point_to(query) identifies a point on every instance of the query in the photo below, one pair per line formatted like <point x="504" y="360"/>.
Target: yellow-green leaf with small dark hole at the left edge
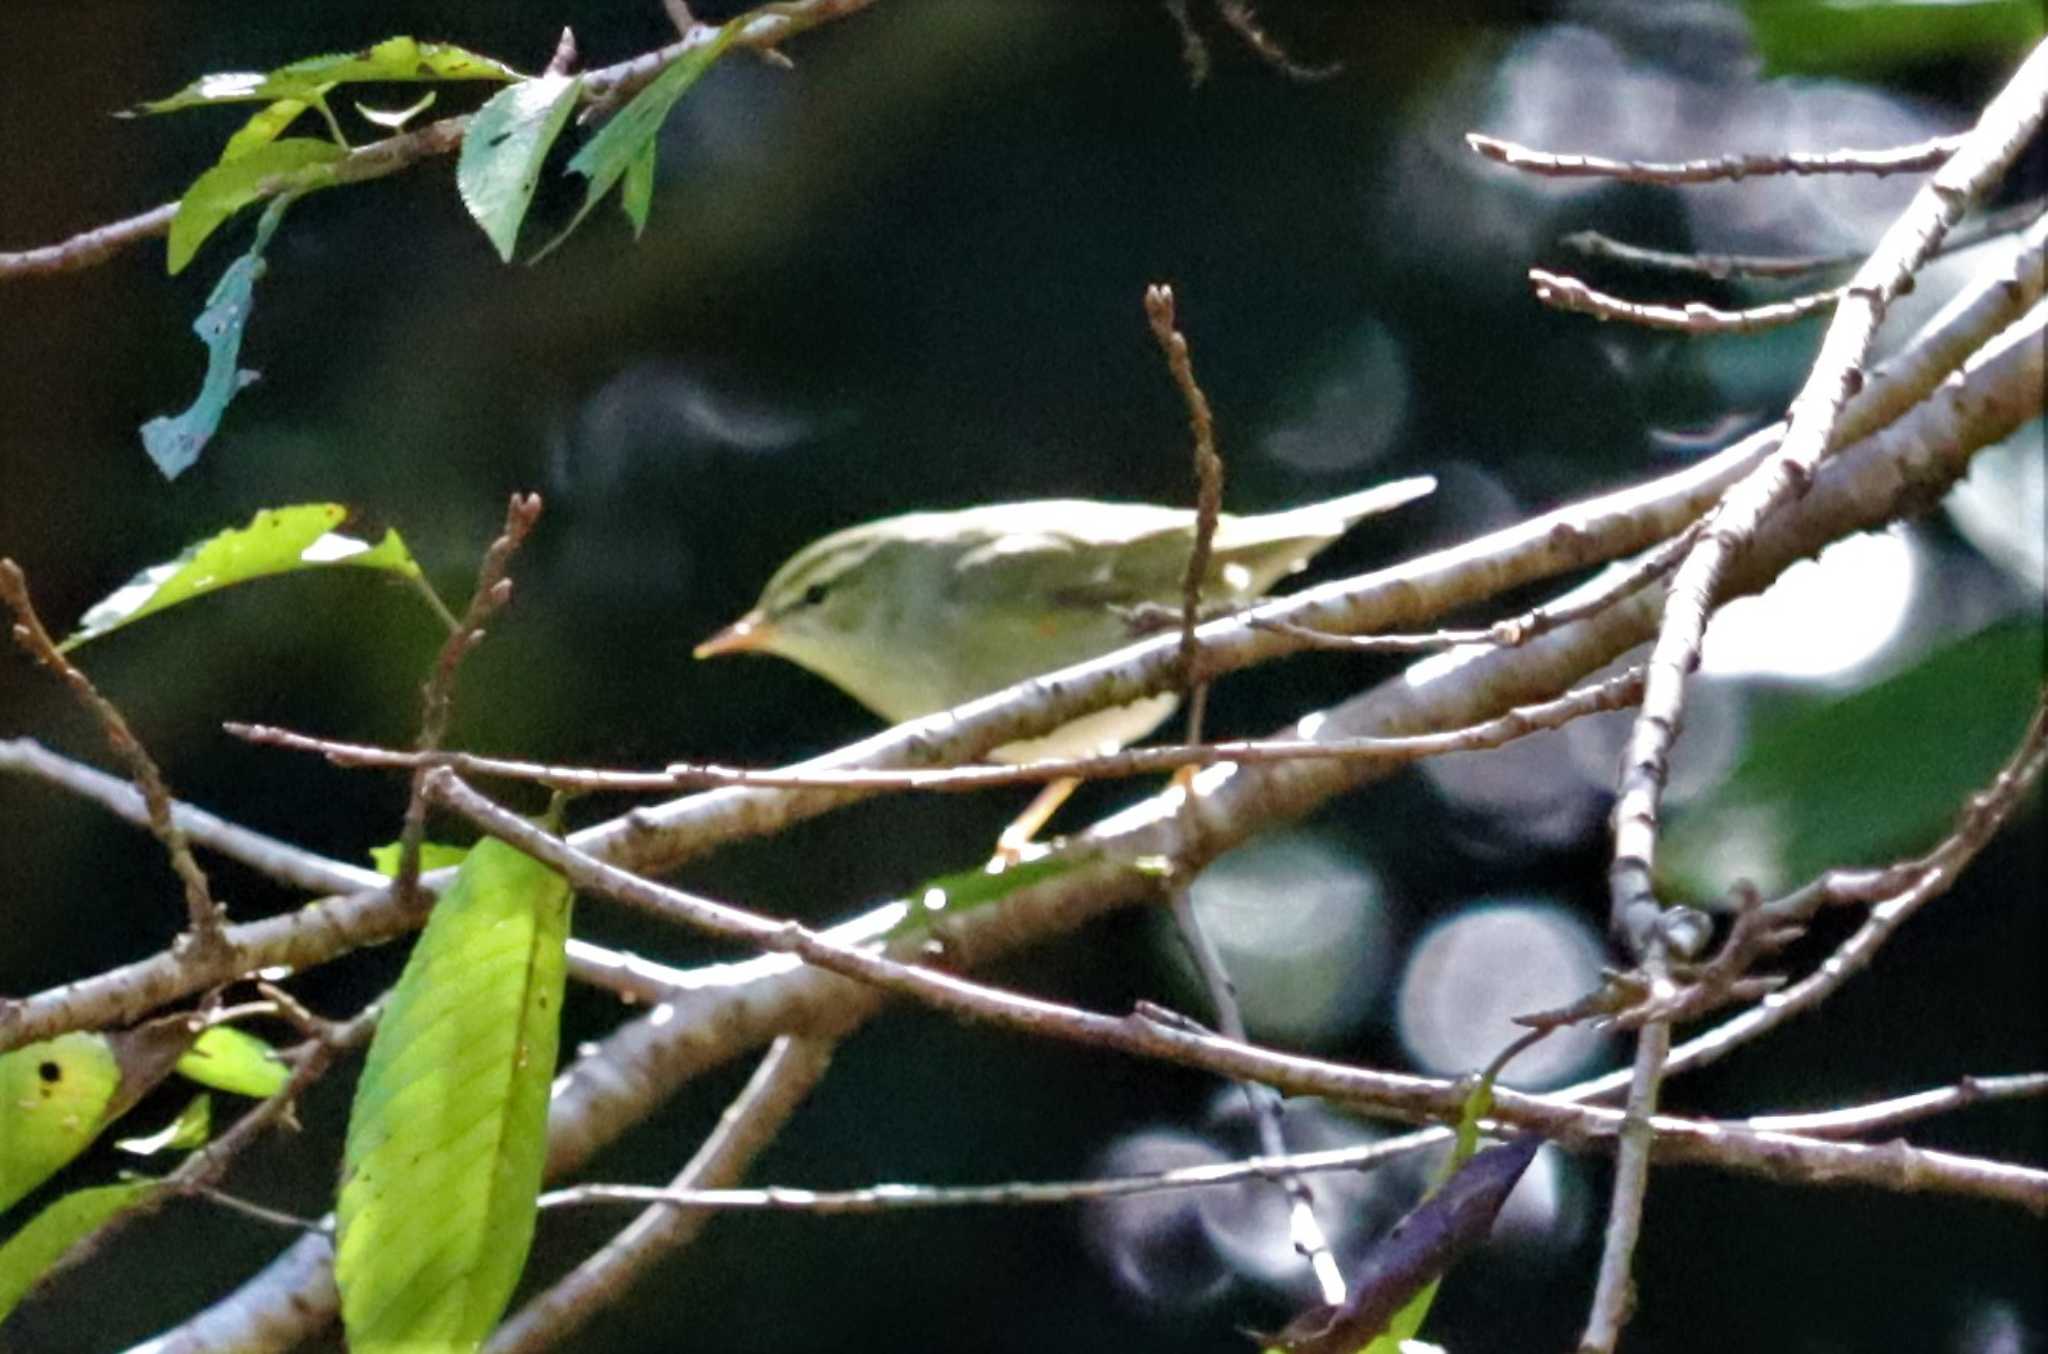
<point x="54" y="1101"/>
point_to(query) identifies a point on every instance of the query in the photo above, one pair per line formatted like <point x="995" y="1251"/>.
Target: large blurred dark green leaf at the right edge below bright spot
<point x="1861" y="779"/>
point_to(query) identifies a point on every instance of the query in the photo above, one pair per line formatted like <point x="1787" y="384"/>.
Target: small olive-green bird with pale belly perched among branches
<point x="925" y="611"/>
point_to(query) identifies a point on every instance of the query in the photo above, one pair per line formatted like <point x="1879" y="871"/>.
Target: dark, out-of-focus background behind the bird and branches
<point x="910" y="276"/>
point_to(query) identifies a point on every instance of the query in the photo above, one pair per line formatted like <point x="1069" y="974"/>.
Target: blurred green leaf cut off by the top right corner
<point x="1871" y="38"/>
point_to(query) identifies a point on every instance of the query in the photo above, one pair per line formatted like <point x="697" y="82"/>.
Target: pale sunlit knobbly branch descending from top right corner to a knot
<point x="1811" y="429"/>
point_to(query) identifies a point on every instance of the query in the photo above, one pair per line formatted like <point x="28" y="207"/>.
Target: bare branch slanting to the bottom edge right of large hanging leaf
<point x="751" y="1124"/>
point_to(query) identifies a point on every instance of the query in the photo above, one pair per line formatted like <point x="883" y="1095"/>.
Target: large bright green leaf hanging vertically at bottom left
<point x="450" y="1128"/>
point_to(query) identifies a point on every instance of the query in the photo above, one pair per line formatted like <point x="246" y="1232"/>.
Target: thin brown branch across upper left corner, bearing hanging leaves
<point x="605" y="87"/>
